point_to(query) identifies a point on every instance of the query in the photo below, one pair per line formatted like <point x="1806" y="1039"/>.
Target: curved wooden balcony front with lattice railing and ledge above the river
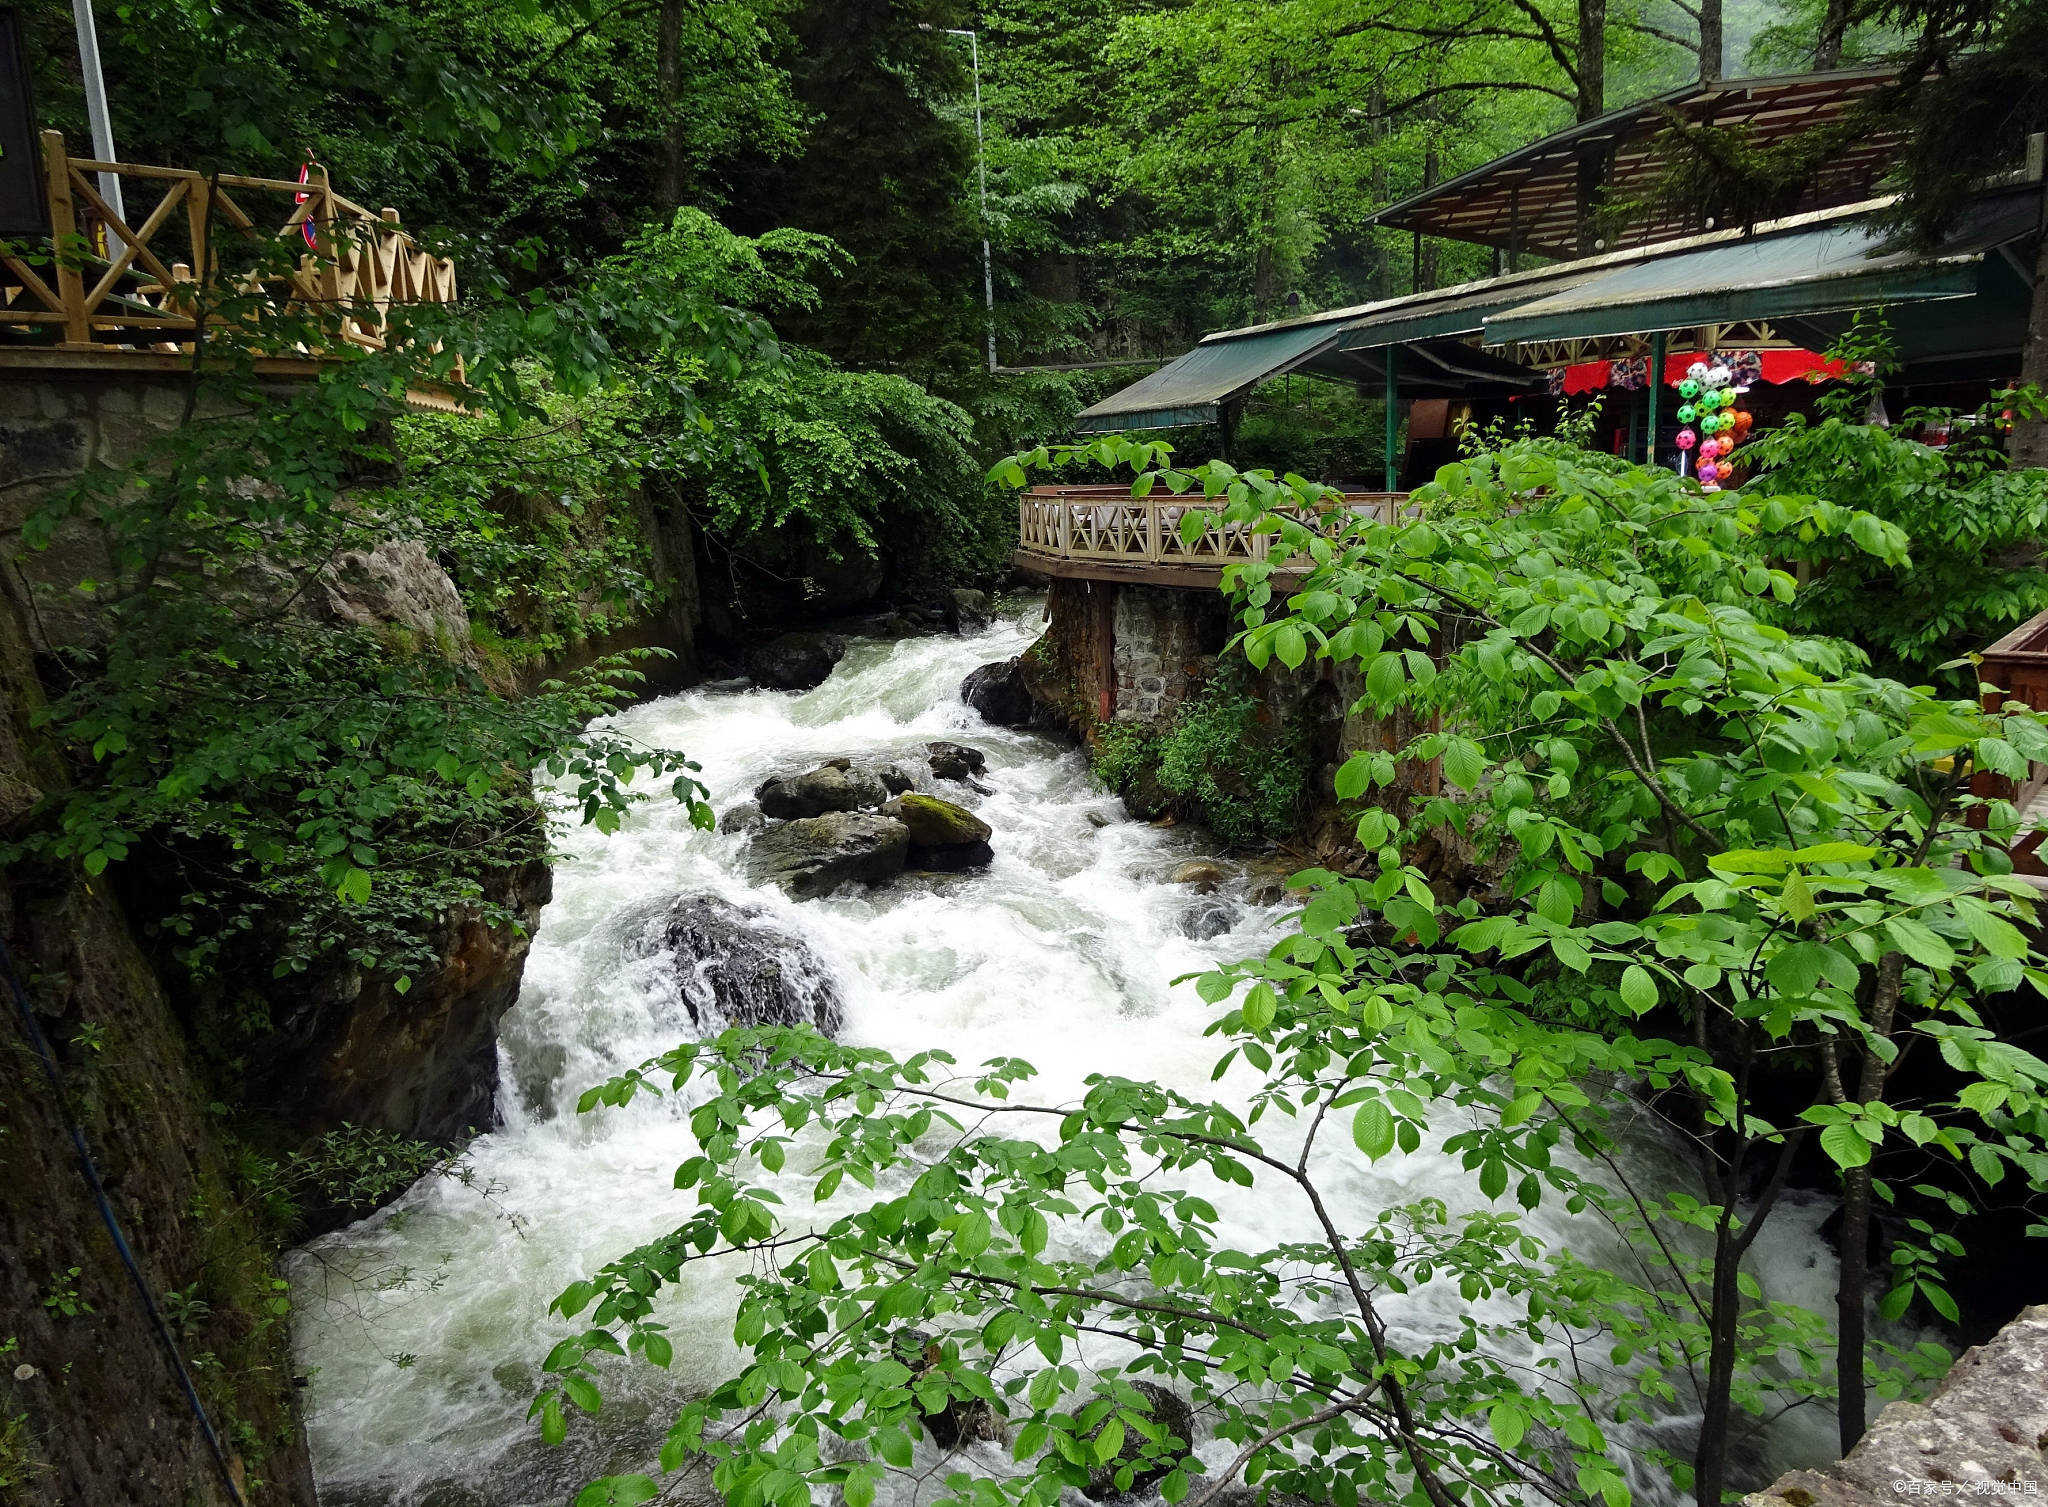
<point x="1107" y="535"/>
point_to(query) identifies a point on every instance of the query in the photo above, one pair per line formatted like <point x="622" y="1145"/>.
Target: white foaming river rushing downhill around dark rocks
<point x="423" y="1328"/>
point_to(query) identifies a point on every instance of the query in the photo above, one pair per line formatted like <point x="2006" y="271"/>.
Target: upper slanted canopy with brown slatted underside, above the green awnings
<point x="1531" y="200"/>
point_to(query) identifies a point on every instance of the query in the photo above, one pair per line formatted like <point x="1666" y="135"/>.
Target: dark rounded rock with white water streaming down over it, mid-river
<point x="736" y="967"/>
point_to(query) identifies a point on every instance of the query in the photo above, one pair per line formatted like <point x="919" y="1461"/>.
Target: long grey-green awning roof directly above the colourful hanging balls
<point x="1801" y="273"/>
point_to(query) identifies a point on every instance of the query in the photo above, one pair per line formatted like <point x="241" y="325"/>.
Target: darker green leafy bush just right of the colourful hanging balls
<point x="1975" y="525"/>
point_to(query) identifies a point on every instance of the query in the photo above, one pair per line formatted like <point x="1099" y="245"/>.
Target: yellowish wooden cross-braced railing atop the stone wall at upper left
<point x="118" y="286"/>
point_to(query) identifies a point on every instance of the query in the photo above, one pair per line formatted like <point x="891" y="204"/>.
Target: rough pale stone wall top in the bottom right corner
<point x="1981" y="1434"/>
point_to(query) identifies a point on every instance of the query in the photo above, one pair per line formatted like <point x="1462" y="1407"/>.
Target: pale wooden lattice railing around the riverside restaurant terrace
<point x="1111" y="525"/>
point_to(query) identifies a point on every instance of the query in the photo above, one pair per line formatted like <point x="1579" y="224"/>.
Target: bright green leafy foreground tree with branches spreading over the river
<point x="1709" y="824"/>
